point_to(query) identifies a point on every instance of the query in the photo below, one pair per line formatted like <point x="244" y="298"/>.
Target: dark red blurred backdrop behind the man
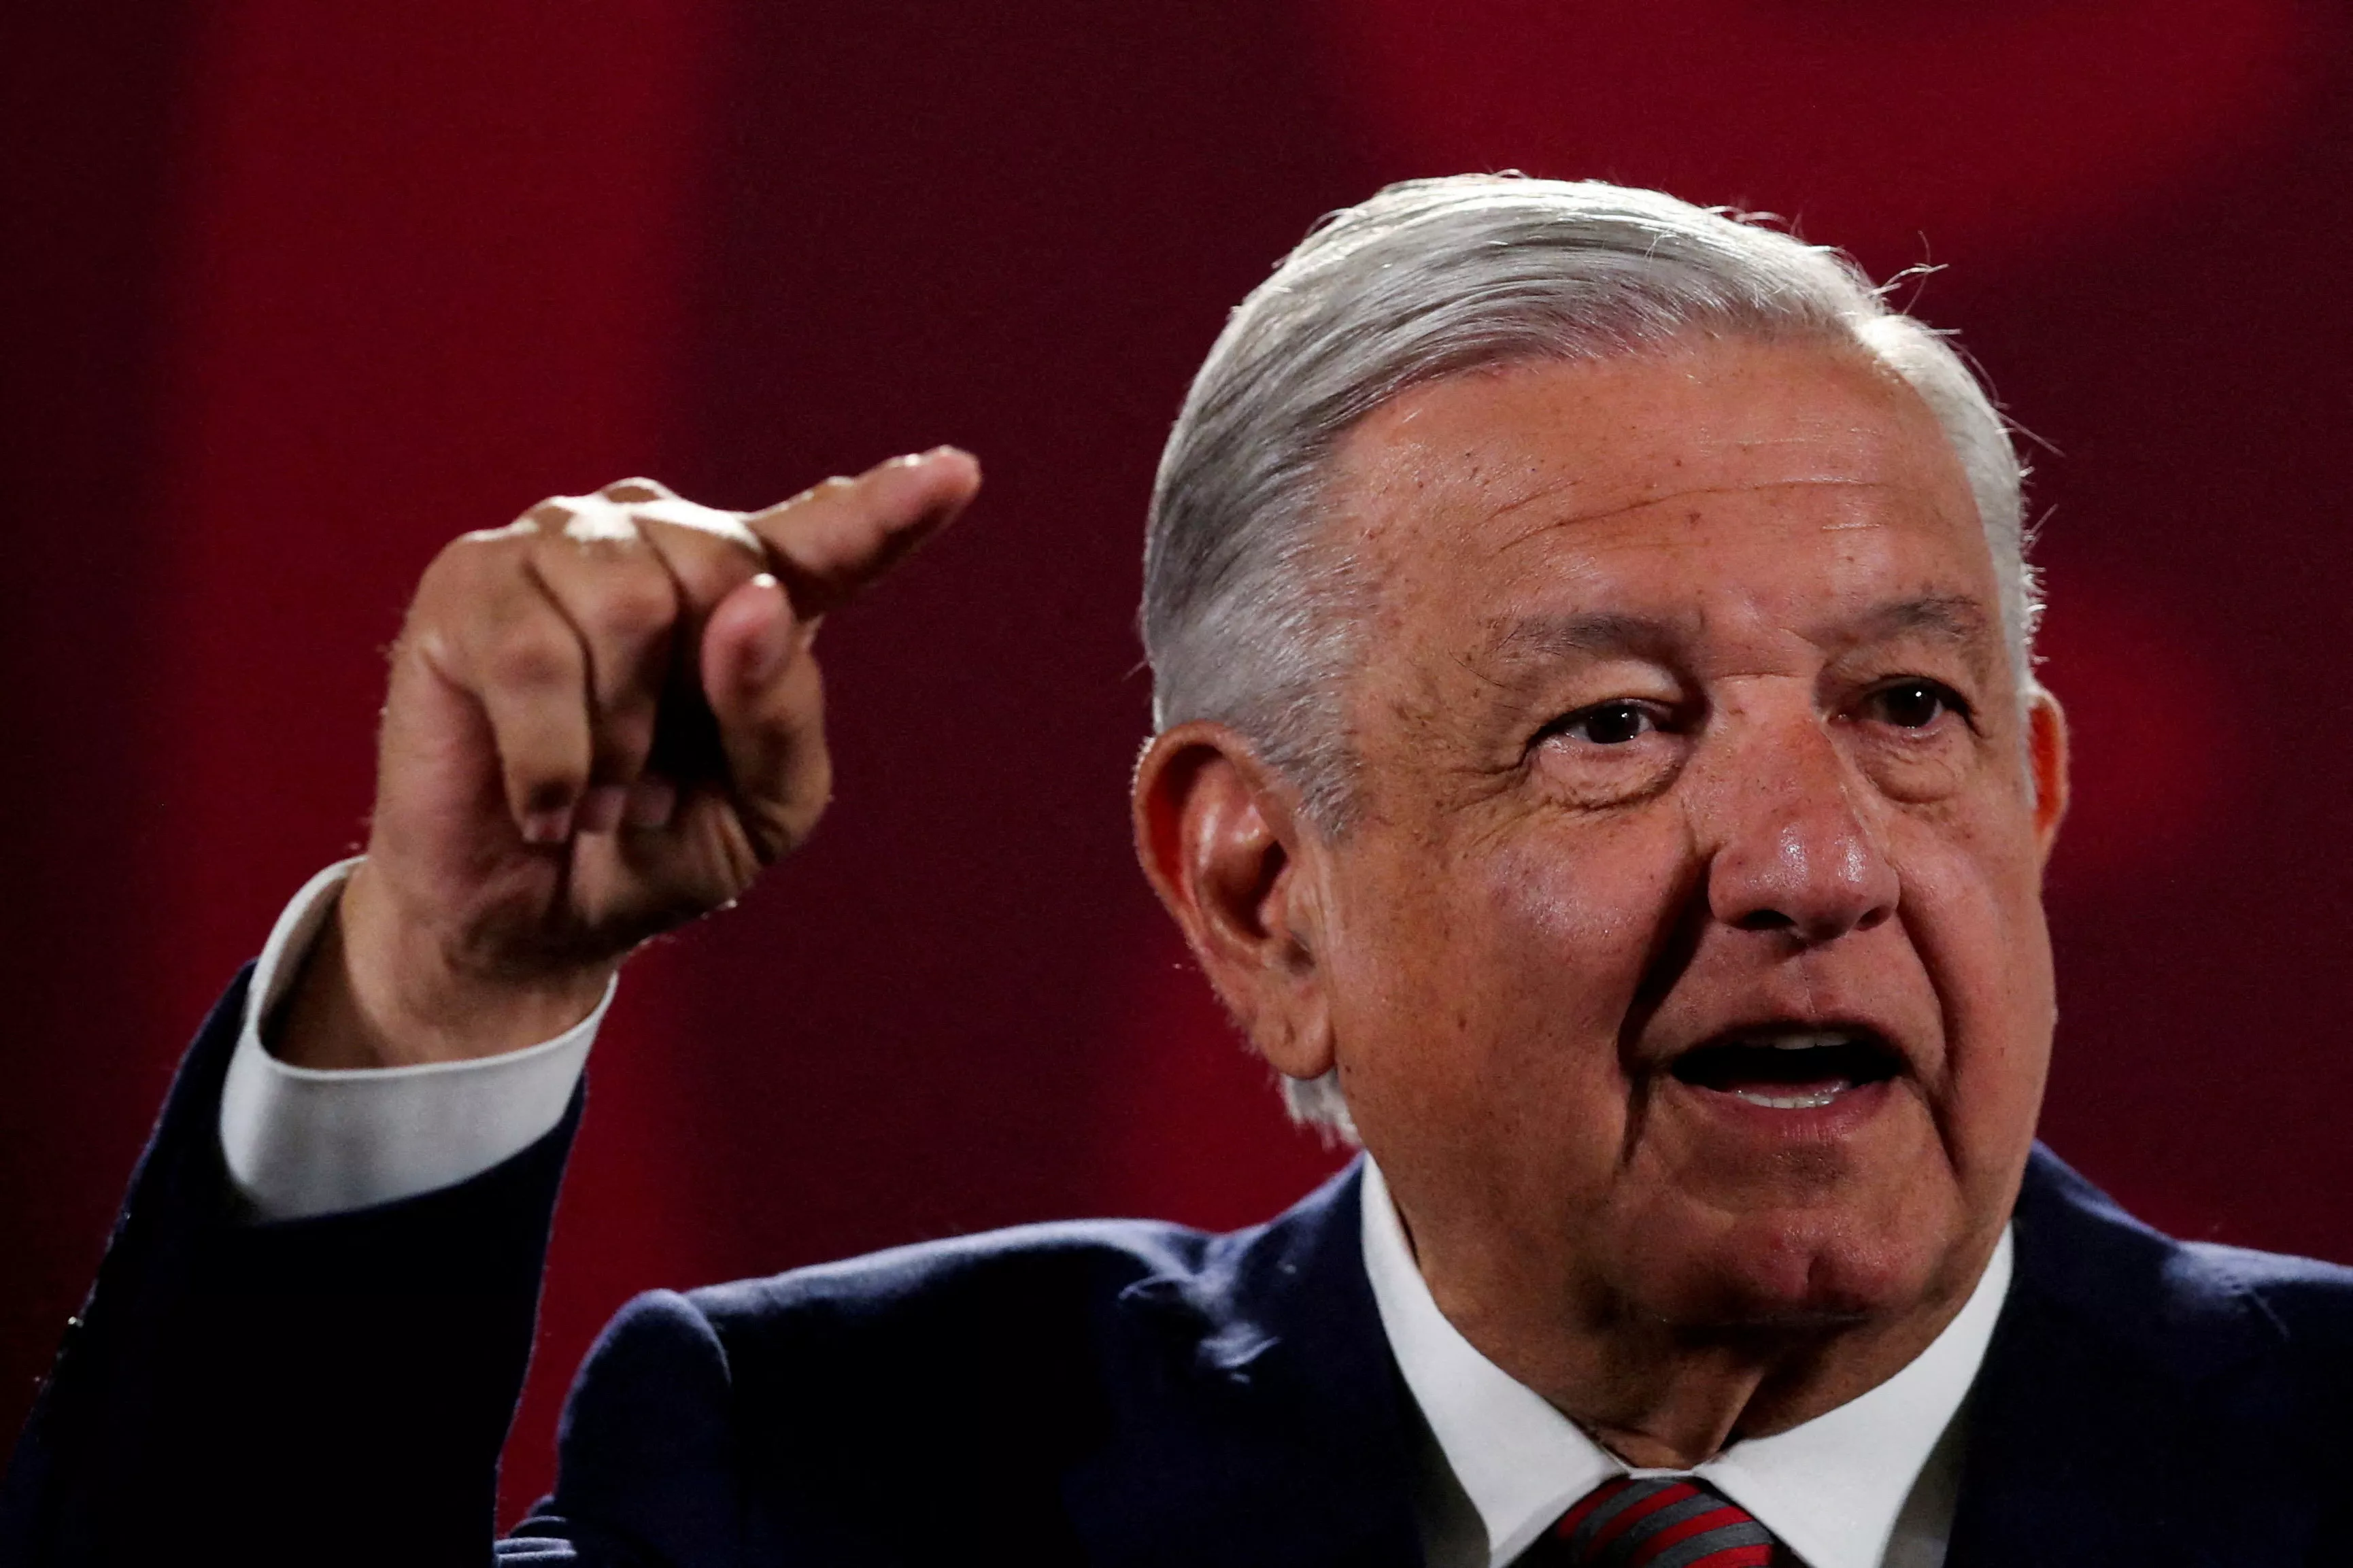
<point x="295" y="293"/>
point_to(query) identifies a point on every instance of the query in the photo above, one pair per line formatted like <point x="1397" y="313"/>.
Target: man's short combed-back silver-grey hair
<point x="1248" y="602"/>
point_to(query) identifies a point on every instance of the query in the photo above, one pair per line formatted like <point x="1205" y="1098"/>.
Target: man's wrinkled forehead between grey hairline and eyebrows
<point x="1717" y="481"/>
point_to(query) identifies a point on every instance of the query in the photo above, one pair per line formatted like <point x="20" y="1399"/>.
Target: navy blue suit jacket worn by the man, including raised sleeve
<point x="1107" y="1393"/>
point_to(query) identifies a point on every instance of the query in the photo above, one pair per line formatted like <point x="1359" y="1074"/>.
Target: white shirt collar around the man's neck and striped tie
<point x="1829" y="1489"/>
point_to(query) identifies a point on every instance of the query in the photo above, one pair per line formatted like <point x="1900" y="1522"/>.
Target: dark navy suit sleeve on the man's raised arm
<point x="326" y="1390"/>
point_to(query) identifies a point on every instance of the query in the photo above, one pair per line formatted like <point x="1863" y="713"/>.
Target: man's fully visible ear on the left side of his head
<point x="1225" y="849"/>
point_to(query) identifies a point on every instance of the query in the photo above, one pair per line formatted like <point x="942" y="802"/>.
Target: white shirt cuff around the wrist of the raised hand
<point x="307" y="1143"/>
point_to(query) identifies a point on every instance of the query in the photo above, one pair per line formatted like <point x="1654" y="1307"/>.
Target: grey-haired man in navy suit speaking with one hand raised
<point x="1599" y="764"/>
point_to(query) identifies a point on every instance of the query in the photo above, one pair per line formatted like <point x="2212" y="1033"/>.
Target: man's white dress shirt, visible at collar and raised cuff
<point x="1865" y="1487"/>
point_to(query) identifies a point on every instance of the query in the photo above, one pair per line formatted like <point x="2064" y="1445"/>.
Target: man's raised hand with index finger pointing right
<point x="604" y="722"/>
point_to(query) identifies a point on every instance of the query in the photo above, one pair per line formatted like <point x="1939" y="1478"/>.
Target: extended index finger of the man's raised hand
<point x="839" y="538"/>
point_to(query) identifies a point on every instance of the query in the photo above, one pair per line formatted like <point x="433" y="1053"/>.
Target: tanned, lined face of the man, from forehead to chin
<point x="1686" y="952"/>
